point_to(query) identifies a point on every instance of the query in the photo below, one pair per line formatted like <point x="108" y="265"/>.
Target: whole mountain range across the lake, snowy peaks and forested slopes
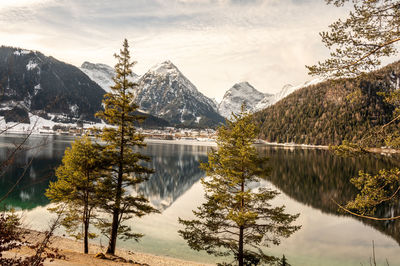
<point x="317" y="112"/>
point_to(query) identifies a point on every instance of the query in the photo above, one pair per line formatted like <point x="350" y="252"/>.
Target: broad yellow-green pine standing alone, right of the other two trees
<point x="236" y="219"/>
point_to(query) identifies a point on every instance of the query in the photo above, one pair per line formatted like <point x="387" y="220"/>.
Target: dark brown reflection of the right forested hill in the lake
<point x="316" y="177"/>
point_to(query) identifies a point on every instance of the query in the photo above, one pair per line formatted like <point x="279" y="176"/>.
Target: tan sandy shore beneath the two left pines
<point x="73" y="251"/>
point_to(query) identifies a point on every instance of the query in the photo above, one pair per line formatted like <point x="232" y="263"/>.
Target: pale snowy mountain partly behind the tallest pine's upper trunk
<point x="101" y="74"/>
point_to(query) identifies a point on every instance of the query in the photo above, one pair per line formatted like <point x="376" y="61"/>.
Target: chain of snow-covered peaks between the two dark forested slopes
<point x="165" y="81"/>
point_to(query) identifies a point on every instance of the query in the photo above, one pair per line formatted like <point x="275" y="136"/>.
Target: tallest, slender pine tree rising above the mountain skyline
<point x="126" y="168"/>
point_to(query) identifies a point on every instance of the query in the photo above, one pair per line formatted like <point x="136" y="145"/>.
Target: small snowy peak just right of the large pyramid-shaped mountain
<point x="235" y="96"/>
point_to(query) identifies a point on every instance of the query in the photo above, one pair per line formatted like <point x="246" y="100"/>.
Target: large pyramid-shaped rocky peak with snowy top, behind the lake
<point x="165" y="92"/>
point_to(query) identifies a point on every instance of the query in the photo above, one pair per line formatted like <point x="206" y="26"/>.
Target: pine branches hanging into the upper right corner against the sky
<point x="359" y="41"/>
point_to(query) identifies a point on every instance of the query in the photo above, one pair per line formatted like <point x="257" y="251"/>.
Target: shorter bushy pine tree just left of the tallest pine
<point x="74" y="192"/>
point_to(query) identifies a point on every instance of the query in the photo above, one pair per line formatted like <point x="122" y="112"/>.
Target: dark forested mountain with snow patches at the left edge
<point x="33" y="82"/>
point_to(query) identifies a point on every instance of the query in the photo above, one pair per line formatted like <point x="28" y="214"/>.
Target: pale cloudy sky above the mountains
<point x="215" y="43"/>
